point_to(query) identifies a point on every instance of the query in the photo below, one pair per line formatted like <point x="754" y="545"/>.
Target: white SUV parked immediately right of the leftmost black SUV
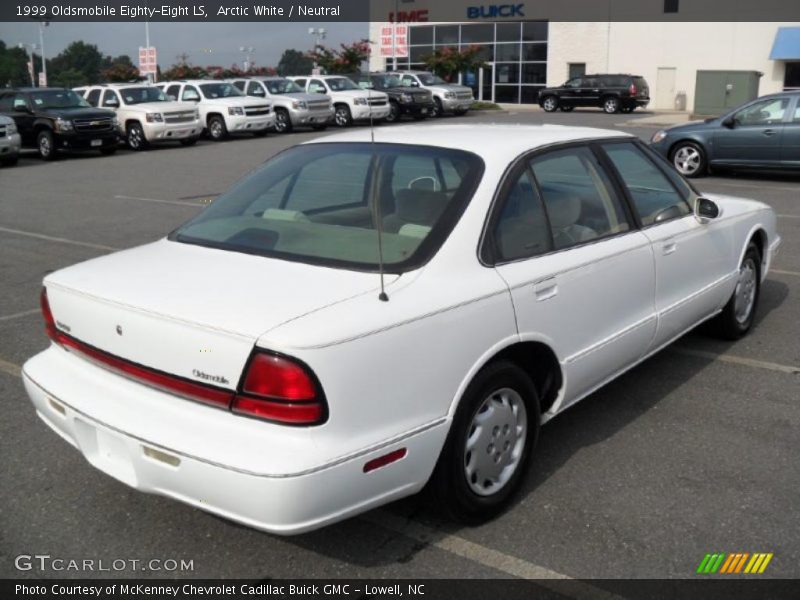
<point x="145" y="114"/>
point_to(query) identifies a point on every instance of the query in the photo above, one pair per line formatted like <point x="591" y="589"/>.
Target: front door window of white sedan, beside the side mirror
<point x="653" y="195"/>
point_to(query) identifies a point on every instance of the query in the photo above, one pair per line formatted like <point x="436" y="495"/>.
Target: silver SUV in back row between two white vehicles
<point x="292" y="105"/>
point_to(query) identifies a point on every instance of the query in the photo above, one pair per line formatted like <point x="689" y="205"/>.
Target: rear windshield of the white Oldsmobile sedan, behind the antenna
<point x="299" y="207"/>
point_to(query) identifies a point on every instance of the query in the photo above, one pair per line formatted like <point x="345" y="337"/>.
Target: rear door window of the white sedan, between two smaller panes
<point x="578" y="197"/>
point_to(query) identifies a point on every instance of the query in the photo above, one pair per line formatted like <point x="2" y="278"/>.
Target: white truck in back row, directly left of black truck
<point x="350" y="102"/>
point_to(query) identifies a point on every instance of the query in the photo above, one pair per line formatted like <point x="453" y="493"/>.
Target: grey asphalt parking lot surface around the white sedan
<point x="694" y="451"/>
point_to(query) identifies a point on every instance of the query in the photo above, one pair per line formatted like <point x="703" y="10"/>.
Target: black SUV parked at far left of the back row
<point x="52" y="119"/>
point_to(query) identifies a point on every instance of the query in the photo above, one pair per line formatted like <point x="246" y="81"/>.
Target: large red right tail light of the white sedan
<point x="278" y="388"/>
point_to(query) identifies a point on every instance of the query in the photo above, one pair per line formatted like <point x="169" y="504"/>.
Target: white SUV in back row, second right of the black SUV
<point x="223" y="108"/>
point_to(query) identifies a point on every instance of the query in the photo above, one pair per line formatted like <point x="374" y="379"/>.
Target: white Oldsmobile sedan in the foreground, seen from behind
<point x="356" y="319"/>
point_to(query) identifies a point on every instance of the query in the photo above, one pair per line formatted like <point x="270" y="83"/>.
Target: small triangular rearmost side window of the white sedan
<point x="522" y="230"/>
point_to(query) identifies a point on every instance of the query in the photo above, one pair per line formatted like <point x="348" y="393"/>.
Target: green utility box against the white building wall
<point x="716" y="92"/>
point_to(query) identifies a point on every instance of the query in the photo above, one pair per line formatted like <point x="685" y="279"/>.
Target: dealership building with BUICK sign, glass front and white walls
<point x="720" y="63"/>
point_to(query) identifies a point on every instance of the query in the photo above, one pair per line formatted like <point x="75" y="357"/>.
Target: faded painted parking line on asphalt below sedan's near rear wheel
<point x="500" y="561"/>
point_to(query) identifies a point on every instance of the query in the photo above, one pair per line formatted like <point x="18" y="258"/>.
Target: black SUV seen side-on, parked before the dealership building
<point x="612" y="93"/>
